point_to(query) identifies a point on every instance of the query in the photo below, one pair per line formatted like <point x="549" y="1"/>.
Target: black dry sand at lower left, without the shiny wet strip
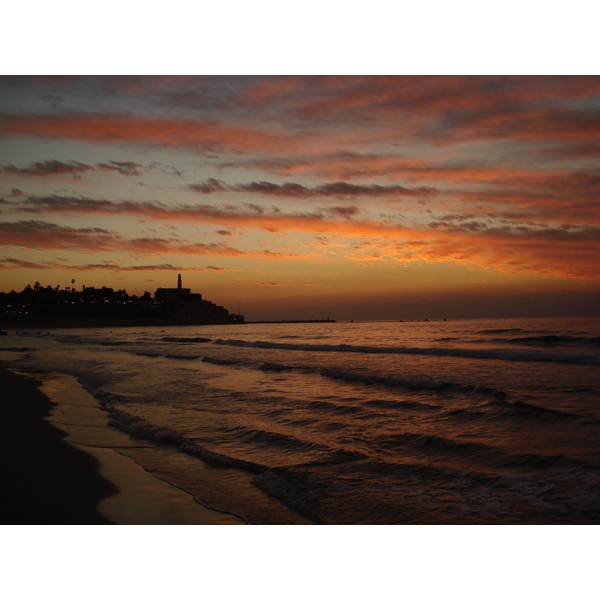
<point x="45" y="480"/>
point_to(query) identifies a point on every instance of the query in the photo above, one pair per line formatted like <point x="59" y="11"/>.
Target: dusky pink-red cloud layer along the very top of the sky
<point x="279" y="116"/>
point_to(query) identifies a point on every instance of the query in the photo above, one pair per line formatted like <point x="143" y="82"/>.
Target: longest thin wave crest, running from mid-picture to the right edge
<point x="488" y="353"/>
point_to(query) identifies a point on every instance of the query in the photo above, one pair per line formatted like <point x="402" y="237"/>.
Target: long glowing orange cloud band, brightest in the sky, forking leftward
<point x="568" y="249"/>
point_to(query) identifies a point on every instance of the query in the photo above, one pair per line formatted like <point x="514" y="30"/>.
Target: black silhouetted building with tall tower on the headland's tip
<point x="186" y="307"/>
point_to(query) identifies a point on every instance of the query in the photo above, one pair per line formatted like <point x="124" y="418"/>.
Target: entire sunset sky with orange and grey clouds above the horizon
<point x="308" y="197"/>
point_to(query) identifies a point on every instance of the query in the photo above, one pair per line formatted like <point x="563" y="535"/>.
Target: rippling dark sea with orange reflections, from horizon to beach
<point x="473" y="421"/>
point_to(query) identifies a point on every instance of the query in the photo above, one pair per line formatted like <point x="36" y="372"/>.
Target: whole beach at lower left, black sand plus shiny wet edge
<point x="57" y="469"/>
